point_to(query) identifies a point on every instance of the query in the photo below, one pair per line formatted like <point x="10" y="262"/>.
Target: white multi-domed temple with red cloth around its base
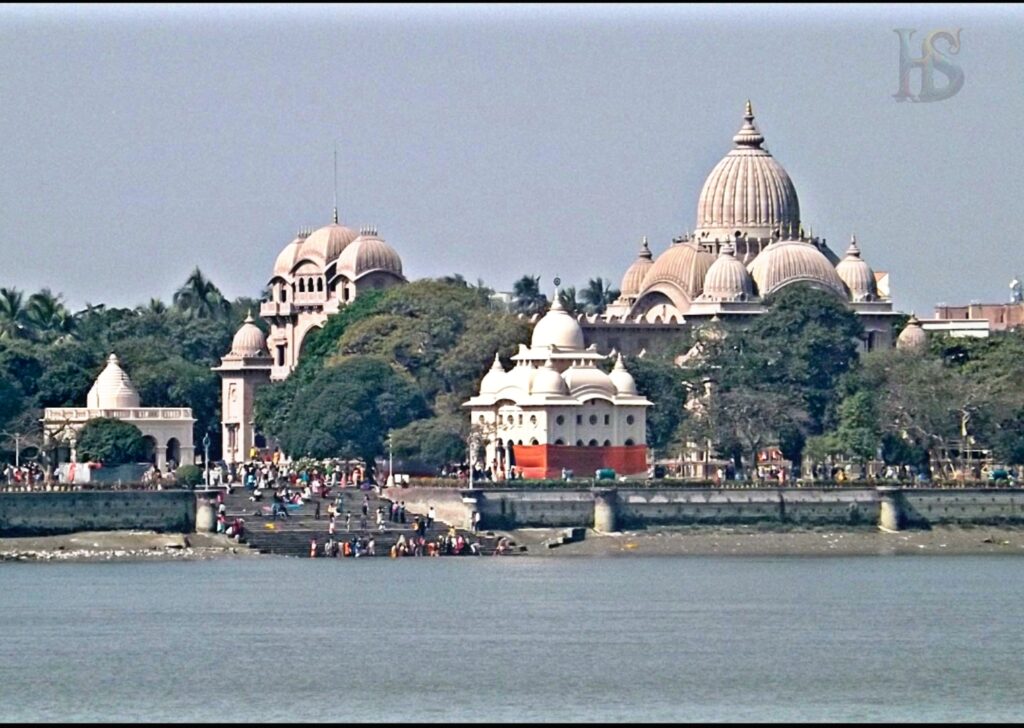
<point x="554" y="409"/>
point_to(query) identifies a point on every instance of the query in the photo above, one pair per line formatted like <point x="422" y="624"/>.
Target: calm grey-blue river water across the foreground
<point x="928" y="638"/>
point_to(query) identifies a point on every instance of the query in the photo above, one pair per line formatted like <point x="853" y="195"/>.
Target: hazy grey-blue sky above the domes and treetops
<point x="491" y="142"/>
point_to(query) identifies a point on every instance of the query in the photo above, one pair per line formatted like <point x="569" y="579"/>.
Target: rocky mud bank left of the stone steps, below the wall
<point x="122" y="546"/>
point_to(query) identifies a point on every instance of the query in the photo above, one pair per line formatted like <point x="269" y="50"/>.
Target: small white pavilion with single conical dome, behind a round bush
<point x="167" y="432"/>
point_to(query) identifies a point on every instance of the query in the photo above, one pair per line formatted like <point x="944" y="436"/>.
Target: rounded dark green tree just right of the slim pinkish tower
<point x="350" y="408"/>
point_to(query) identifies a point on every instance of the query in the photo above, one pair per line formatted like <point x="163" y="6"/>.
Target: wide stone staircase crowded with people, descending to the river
<point x="292" y="536"/>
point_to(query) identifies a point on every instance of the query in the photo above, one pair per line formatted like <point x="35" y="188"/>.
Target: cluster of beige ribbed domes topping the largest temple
<point x="749" y="243"/>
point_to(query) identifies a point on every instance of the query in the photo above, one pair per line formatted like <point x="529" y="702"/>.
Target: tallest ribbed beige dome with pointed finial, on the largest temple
<point x="748" y="191"/>
